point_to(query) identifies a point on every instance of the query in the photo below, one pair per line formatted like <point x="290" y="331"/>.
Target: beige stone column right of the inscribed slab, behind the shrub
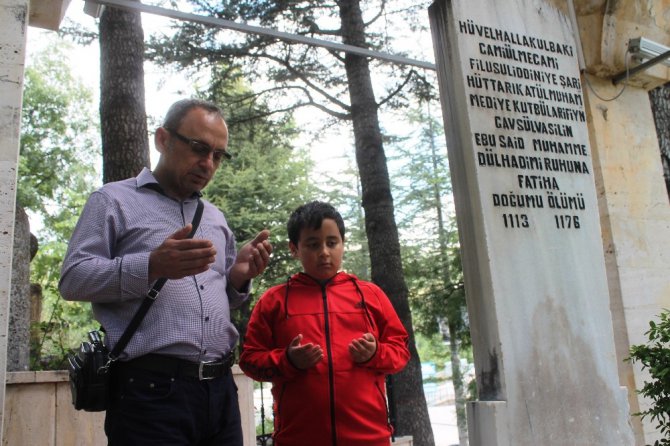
<point x="635" y="221"/>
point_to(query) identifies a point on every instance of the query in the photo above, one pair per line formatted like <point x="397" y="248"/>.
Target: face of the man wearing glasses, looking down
<point x="186" y="167"/>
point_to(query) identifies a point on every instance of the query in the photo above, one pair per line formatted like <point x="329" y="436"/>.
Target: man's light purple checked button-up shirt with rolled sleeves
<point x="107" y="264"/>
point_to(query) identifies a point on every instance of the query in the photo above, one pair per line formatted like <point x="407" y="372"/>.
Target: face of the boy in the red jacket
<point x="320" y="250"/>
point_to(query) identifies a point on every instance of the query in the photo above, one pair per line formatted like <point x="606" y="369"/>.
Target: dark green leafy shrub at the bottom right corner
<point x="654" y="356"/>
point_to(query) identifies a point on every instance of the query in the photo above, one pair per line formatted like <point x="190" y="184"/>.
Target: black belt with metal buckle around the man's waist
<point x="180" y="367"/>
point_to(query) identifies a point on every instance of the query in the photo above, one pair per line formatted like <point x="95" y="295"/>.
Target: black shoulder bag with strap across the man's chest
<point x="89" y="366"/>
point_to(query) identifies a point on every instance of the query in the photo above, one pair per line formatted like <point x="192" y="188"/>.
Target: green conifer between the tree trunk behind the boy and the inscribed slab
<point x="431" y="250"/>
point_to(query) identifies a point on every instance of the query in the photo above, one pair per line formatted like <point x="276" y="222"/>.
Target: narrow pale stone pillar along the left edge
<point x="14" y="20"/>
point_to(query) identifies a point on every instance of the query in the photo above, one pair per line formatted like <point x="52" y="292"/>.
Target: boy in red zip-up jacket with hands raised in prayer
<point x="325" y="340"/>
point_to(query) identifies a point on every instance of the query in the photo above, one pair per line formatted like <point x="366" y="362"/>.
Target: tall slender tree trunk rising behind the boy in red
<point x="380" y="226"/>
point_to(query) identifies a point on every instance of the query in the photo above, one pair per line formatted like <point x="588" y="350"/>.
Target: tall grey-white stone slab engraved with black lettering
<point x="528" y="216"/>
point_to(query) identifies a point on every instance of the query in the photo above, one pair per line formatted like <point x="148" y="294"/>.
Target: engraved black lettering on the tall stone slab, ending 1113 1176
<point x="533" y="111"/>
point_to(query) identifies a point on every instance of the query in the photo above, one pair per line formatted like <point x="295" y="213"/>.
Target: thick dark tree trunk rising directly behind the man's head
<point x="125" y="145"/>
